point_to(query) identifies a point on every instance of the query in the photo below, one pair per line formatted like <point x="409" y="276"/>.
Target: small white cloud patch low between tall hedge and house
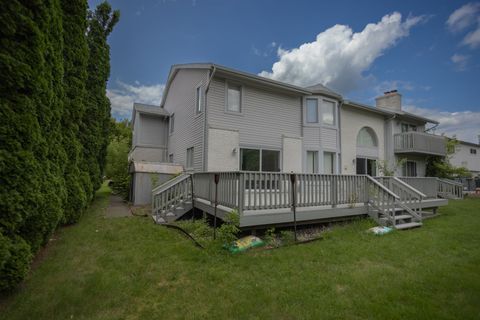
<point x="123" y="97"/>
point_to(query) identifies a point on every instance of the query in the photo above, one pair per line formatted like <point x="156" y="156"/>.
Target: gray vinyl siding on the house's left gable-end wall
<point x="189" y="126"/>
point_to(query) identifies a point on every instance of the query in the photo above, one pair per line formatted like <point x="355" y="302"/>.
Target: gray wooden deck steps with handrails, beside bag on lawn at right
<point x="395" y="203"/>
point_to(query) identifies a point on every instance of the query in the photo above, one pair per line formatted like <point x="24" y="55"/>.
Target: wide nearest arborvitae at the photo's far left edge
<point x="31" y="156"/>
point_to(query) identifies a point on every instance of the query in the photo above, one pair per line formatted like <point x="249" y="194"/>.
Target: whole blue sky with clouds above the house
<point x="428" y="50"/>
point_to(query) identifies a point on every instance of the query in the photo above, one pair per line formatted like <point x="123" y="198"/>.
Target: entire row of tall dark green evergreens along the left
<point x="46" y="175"/>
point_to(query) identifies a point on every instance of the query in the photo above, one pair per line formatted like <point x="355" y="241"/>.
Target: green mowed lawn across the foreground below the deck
<point x="129" y="268"/>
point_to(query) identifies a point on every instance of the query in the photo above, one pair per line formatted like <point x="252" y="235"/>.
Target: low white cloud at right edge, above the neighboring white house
<point x="465" y="125"/>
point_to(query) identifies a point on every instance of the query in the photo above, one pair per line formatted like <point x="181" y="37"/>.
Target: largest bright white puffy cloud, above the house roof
<point x="338" y="57"/>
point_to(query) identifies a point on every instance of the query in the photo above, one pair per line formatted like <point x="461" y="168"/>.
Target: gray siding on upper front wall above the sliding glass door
<point x="265" y="116"/>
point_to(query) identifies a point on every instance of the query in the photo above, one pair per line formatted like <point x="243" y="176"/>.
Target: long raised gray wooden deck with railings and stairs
<point x="265" y="199"/>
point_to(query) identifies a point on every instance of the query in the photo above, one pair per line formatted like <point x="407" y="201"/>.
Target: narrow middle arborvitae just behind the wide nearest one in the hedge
<point x="75" y="58"/>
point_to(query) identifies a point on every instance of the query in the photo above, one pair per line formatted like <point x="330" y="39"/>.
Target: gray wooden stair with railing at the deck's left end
<point x="171" y="200"/>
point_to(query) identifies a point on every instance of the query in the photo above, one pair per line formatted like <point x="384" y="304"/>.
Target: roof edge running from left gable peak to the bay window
<point x="245" y="75"/>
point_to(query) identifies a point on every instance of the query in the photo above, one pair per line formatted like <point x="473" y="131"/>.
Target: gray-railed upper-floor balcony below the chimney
<point x="419" y="143"/>
